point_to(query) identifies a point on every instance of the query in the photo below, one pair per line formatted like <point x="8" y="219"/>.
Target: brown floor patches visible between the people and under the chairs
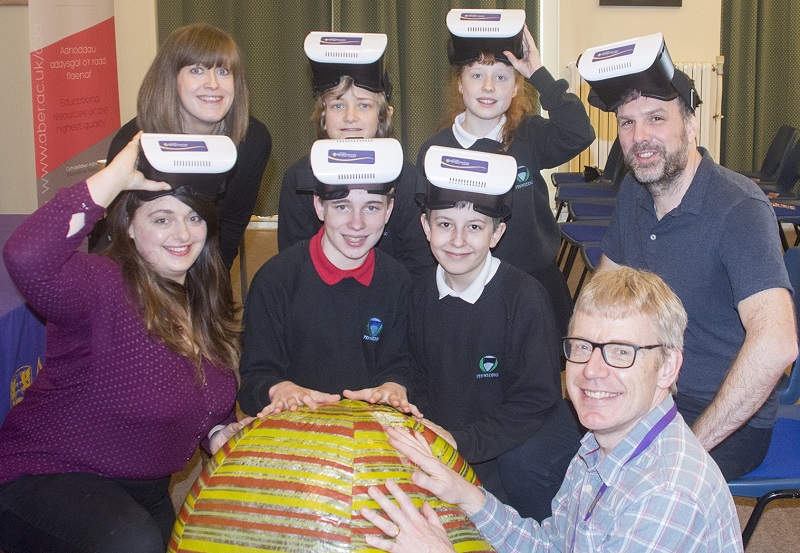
<point x="777" y="532"/>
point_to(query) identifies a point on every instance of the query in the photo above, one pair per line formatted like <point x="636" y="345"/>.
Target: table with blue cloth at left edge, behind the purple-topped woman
<point x="21" y="333"/>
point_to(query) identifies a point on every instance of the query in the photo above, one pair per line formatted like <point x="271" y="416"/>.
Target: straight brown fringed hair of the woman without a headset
<point x="158" y="104"/>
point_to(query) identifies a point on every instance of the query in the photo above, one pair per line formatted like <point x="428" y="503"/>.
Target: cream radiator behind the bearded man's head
<point x="708" y="81"/>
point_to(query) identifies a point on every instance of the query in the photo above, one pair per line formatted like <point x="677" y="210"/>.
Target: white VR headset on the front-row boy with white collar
<point x="456" y="175"/>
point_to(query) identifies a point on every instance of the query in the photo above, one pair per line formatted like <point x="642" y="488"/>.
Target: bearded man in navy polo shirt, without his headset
<point x="711" y="234"/>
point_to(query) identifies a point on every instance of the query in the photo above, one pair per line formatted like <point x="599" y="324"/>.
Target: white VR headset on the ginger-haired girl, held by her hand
<point x="473" y="32"/>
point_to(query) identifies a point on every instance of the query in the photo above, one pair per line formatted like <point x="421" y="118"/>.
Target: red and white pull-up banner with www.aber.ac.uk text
<point x="74" y="89"/>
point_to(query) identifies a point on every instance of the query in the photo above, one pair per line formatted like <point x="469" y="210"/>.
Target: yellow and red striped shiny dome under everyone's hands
<point x="295" y="482"/>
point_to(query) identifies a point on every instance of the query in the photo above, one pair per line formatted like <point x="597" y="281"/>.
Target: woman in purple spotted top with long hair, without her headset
<point x="140" y="364"/>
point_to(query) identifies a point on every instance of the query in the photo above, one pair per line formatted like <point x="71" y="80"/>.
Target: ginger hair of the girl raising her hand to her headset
<point x="521" y="106"/>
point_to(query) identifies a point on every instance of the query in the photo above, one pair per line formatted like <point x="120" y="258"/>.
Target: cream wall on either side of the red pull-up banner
<point x="136" y="46"/>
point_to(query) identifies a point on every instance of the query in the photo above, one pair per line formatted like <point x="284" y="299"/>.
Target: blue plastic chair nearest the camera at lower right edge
<point x="778" y="476"/>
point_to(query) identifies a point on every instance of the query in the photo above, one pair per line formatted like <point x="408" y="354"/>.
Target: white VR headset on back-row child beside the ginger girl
<point x="358" y="55"/>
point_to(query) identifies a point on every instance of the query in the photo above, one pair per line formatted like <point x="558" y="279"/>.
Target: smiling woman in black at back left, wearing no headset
<point x="196" y="85"/>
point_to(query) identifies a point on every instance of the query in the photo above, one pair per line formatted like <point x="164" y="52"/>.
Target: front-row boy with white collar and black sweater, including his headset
<point x="484" y="341"/>
